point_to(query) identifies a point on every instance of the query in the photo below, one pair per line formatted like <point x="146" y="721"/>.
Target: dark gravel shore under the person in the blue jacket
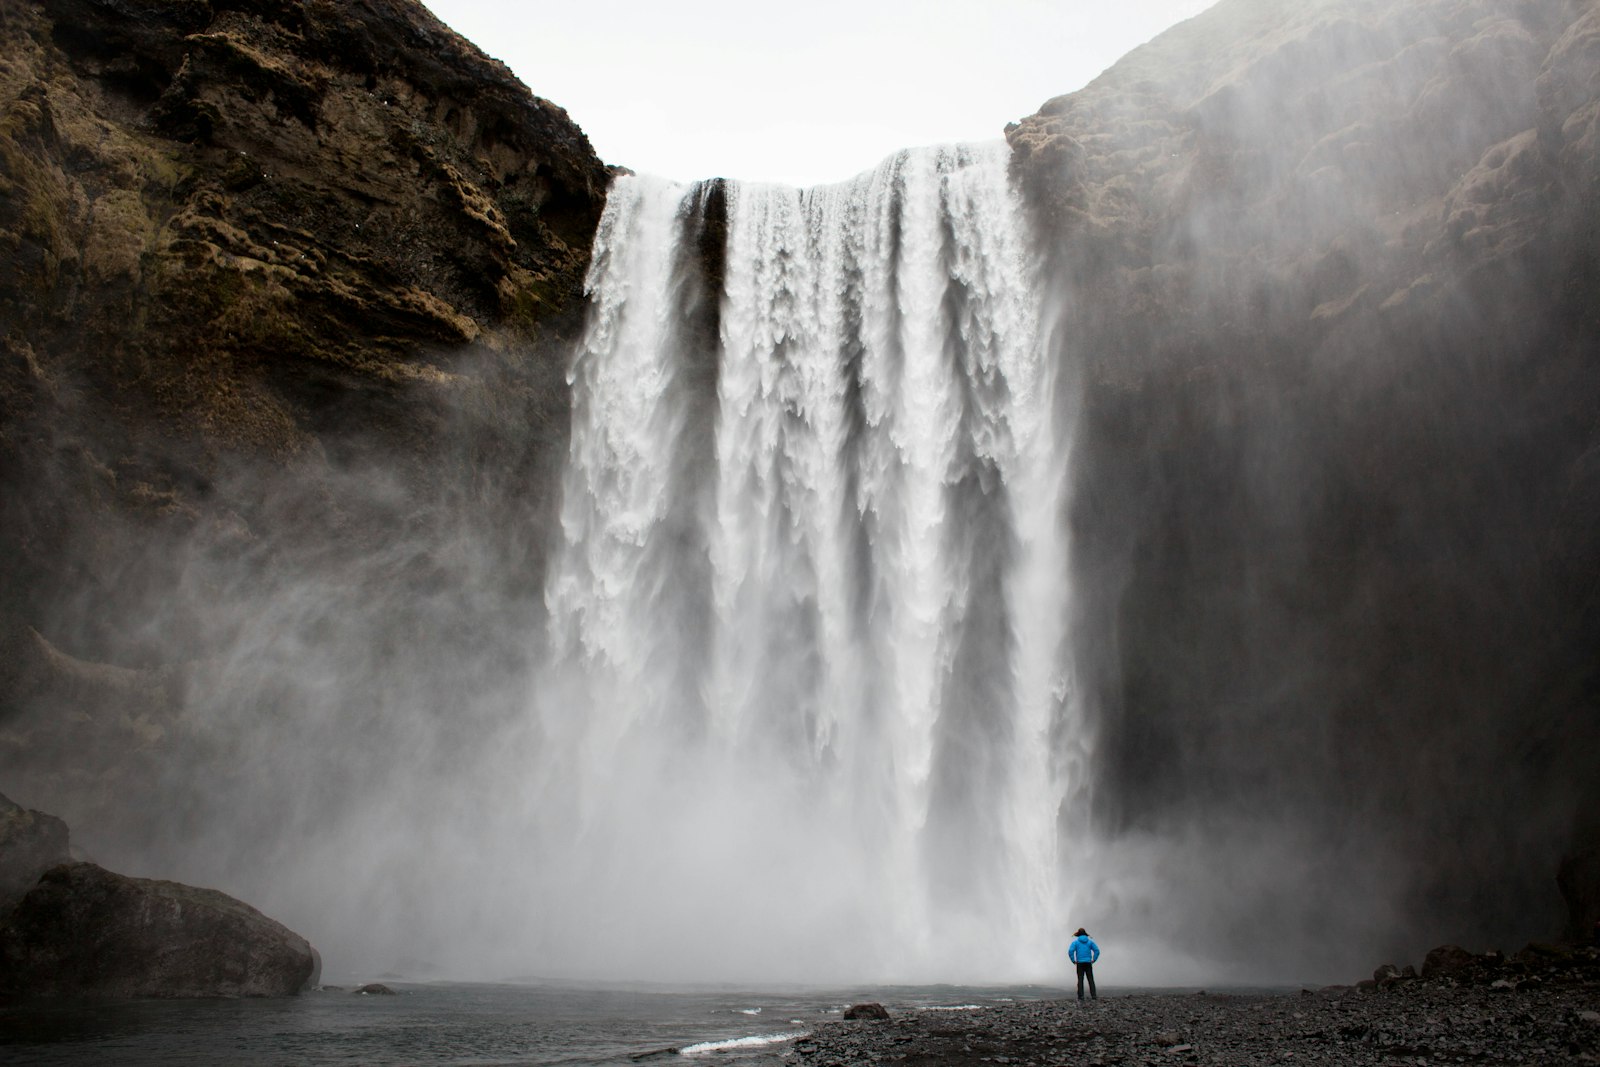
<point x="1534" y="1009"/>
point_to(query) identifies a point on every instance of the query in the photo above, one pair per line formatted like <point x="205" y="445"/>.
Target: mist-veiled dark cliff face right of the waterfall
<point x="1330" y="273"/>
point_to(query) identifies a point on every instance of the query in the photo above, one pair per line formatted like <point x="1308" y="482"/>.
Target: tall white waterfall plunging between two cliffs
<point x="807" y="615"/>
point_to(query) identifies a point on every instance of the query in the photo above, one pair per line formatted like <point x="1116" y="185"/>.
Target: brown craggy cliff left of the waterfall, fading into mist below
<point x="287" y="294"/>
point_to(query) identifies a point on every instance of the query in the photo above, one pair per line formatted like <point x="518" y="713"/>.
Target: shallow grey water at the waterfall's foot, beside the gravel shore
<point x="460" y="1025"/>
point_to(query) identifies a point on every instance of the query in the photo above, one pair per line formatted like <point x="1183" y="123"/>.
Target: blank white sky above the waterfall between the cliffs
<point x="802" y="92"/>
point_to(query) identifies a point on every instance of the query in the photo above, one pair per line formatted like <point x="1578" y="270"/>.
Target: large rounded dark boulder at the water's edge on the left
<point x="86" y="932"/>
